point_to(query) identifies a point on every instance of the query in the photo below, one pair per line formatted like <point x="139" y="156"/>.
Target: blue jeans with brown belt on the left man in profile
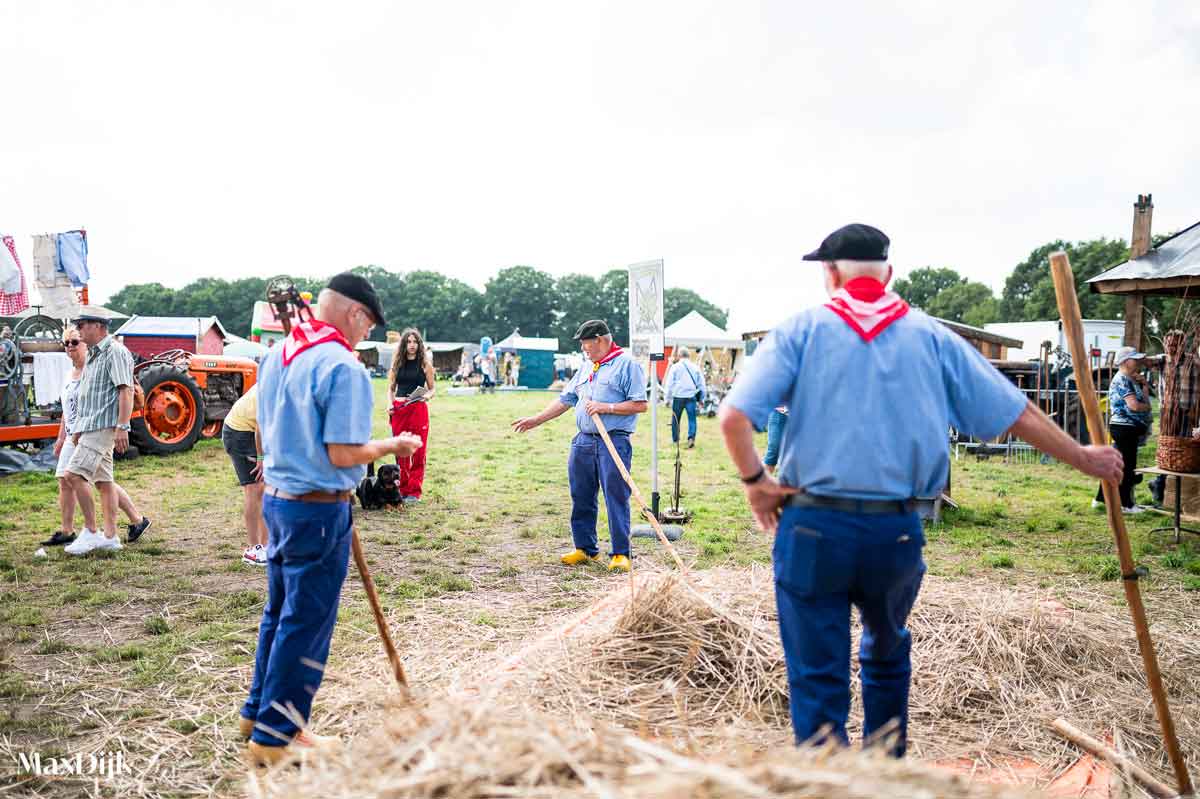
<point x="307" y="563"/>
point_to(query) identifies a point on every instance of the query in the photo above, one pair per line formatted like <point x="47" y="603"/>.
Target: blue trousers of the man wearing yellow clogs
<point x="590" y="467"/>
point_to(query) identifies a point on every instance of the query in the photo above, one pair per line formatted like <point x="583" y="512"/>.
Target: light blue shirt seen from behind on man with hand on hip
<point x="872" y="420"/>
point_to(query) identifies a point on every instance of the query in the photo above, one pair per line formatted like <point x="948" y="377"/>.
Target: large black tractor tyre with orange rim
<point x="175" y="411"/>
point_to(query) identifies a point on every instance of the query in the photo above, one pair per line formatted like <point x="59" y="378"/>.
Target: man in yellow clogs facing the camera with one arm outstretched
<point x="613" y="387"/>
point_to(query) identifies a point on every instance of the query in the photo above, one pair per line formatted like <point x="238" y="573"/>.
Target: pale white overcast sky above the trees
<point x="255" y="139"/>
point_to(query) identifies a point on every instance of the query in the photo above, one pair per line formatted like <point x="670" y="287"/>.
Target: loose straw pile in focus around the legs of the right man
<point x="992" y="668"/>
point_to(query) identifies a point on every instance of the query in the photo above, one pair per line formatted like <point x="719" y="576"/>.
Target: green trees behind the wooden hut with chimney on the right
<point x="1029" y="291"/>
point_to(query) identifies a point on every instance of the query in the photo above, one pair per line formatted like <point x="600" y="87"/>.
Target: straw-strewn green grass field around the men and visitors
<point x="149" y="651"/>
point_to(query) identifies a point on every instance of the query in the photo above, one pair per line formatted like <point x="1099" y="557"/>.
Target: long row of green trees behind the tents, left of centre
<point x="442" y="308"/>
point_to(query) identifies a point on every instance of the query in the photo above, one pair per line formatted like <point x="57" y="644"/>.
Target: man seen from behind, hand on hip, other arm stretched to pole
<point x="873" y="388"/>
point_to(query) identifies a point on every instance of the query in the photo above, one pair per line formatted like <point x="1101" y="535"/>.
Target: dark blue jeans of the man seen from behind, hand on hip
<point x="825" y="563"/>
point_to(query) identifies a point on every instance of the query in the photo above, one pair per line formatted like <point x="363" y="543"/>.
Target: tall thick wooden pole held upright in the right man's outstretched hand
<point x="1073" y="327"/>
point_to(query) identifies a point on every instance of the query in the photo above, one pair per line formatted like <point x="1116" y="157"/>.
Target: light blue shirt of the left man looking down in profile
<point x="322" y="398"/>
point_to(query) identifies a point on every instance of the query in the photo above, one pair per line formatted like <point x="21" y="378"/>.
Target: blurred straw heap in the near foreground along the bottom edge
<point x="478" y="750"/>
